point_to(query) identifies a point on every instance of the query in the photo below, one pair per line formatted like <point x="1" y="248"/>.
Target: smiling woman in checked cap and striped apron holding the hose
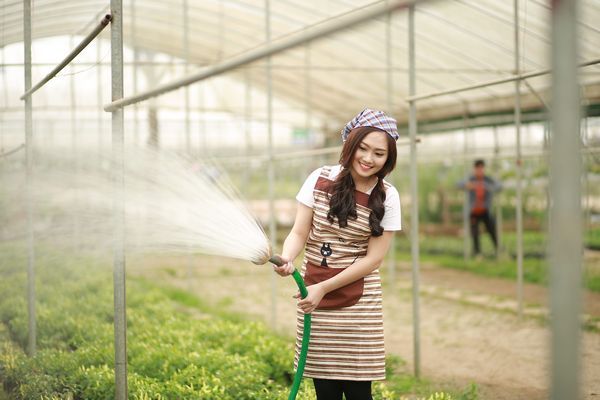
<point x="345" y="221"/>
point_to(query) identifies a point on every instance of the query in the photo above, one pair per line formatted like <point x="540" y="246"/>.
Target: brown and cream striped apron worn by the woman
<point x="345" y="342"/>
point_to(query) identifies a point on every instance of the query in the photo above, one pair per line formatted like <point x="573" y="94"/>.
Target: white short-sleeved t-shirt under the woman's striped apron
<point x="392" y="217"/>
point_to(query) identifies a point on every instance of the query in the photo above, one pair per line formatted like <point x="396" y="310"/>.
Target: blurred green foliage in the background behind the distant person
<point x="440" y="201"/>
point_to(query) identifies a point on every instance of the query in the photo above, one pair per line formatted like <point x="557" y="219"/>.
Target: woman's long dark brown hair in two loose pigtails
<point x="342" y="203"/>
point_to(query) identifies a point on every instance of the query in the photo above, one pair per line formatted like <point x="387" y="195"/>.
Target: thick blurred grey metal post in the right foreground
<point x="565" y="242"/>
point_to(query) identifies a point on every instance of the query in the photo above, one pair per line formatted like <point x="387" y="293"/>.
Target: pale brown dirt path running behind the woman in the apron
<point x="462" y="341"/>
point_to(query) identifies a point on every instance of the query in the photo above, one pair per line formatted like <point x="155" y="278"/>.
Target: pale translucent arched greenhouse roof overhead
<point x="458" y="43"/>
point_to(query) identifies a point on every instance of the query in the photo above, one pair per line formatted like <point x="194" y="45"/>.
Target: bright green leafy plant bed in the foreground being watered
<point x="178" y="348"/>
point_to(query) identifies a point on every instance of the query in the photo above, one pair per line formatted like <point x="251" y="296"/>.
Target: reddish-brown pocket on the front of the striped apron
<point x="345" y="296"/>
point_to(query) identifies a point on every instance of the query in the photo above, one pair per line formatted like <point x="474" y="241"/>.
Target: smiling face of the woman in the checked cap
<point x="371" y="154"/>
